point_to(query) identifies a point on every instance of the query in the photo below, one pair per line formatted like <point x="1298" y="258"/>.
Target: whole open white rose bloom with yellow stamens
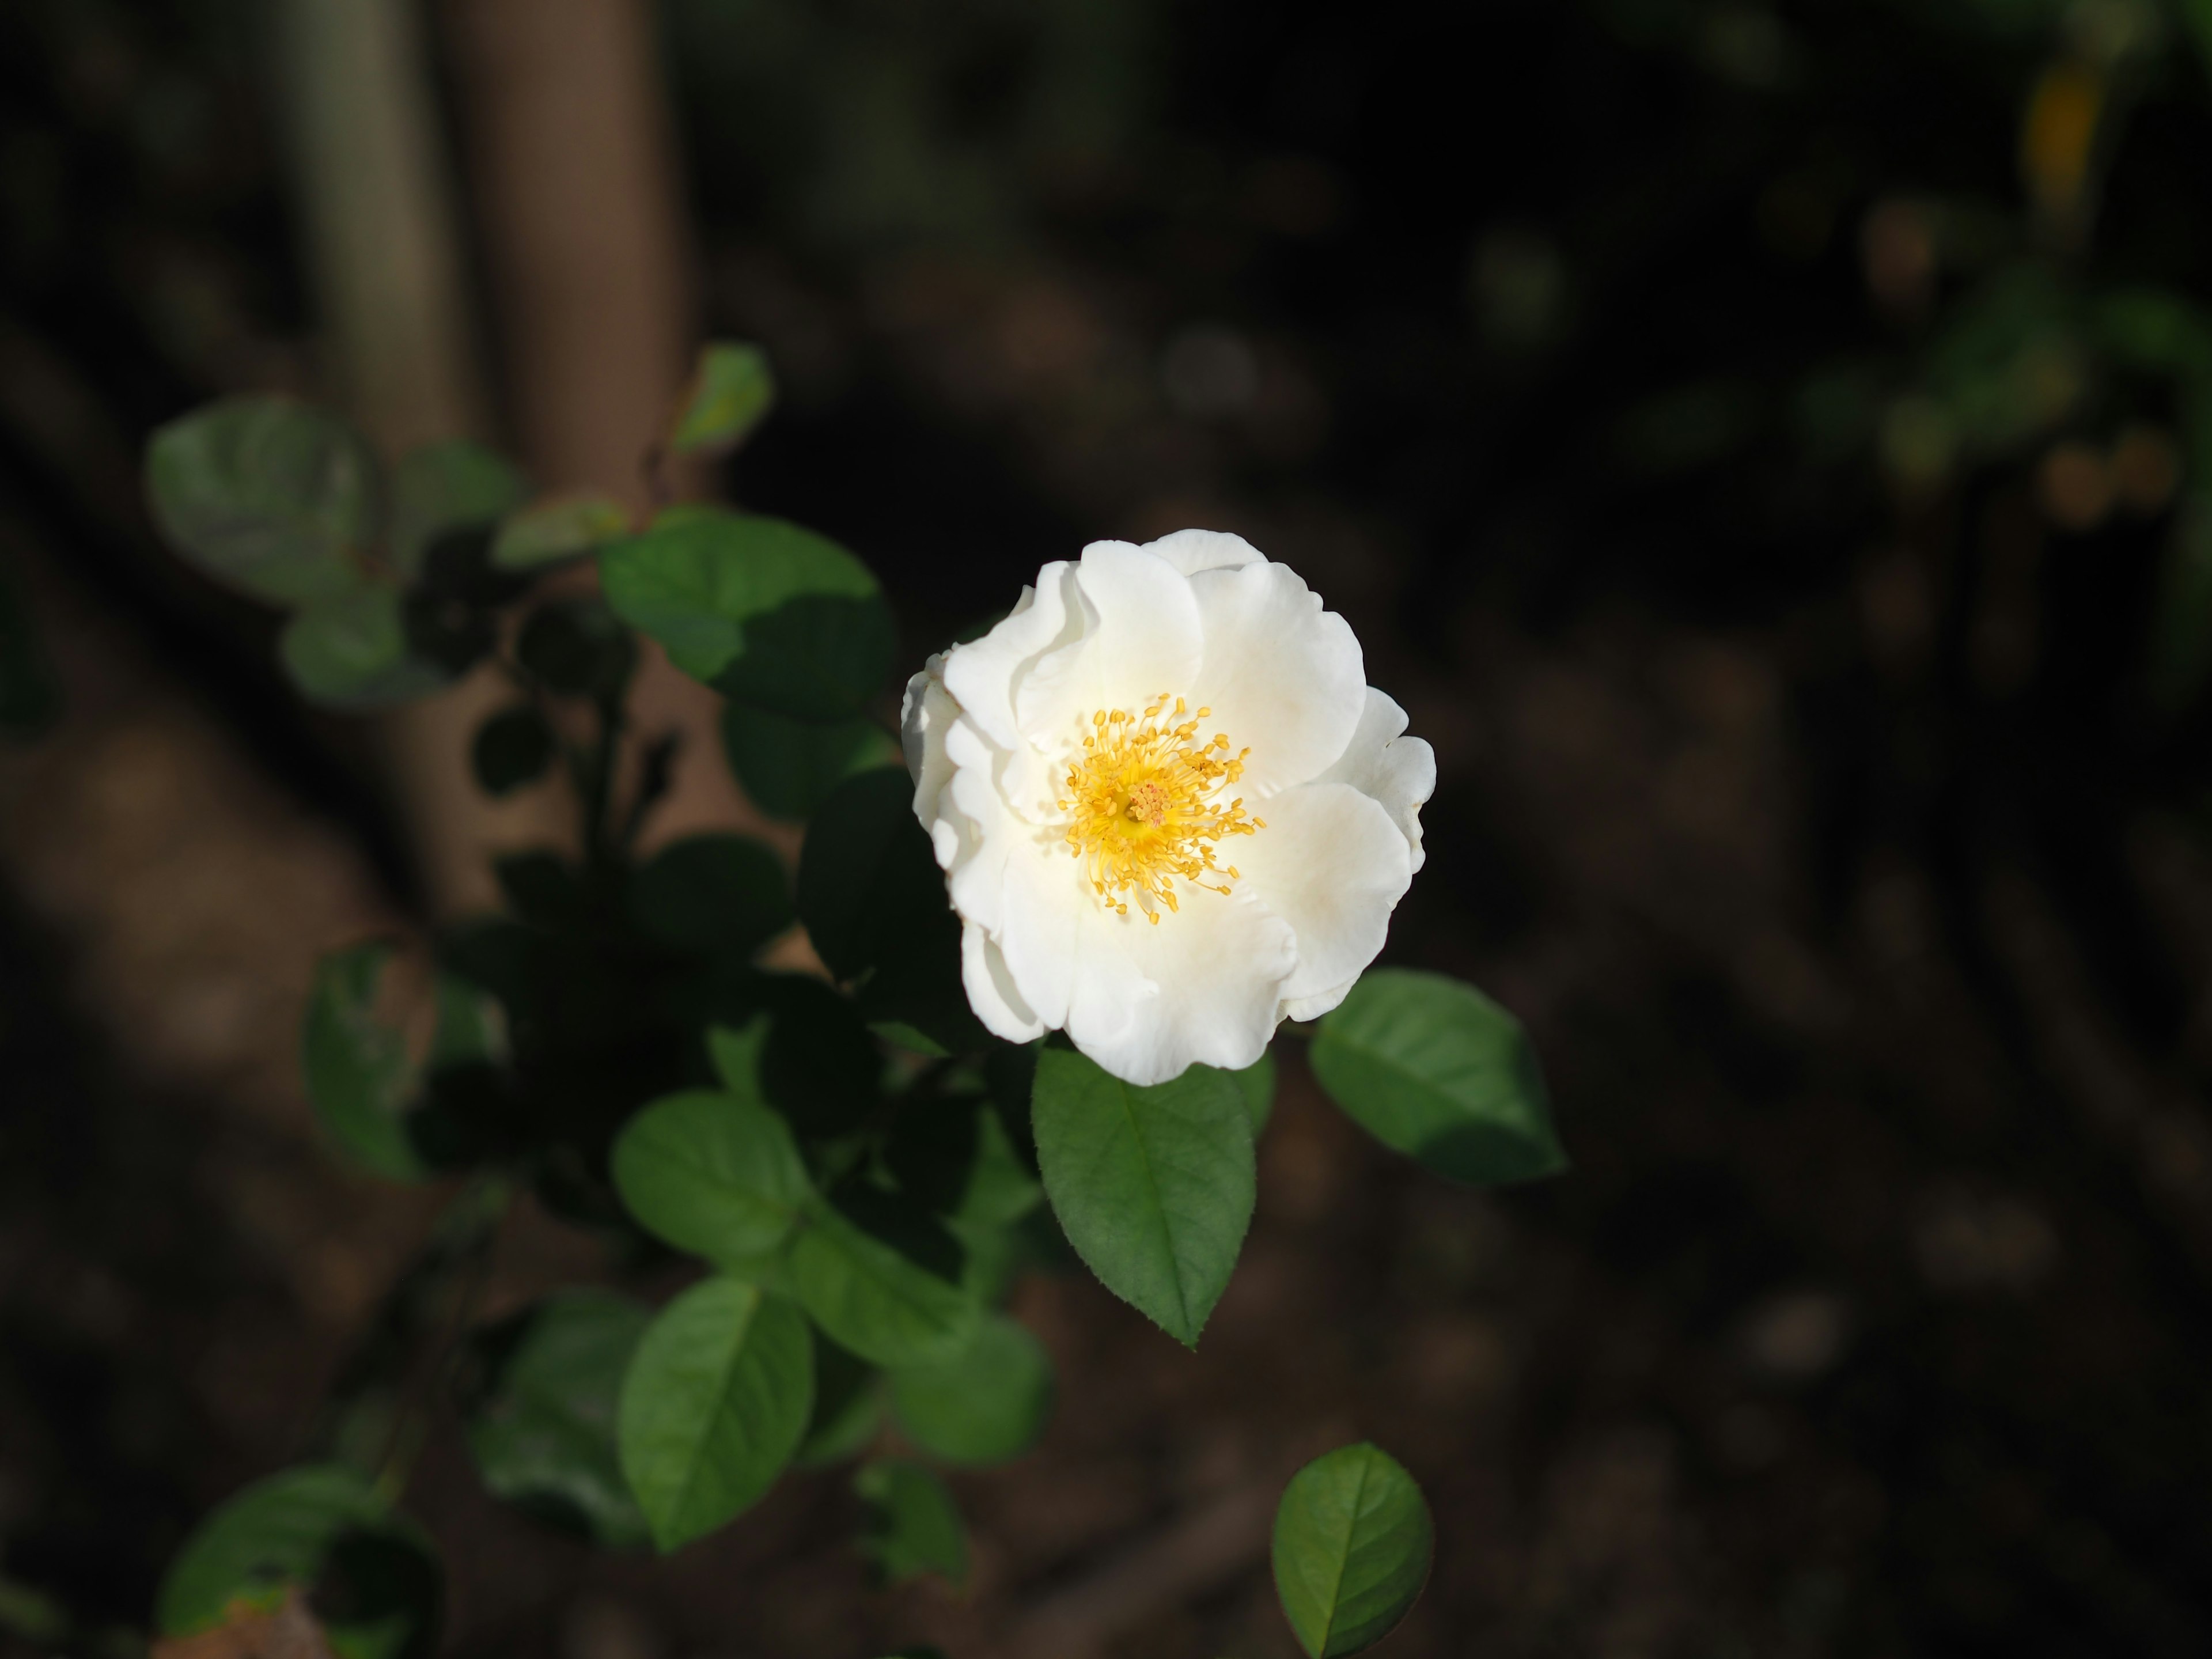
<point x="1169" y="804"/>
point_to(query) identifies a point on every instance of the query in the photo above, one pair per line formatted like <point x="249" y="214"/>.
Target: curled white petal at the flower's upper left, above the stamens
<point x="1140" y="638"/>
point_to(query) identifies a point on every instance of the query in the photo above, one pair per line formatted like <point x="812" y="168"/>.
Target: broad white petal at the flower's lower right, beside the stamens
<point x="1333" y="866"/>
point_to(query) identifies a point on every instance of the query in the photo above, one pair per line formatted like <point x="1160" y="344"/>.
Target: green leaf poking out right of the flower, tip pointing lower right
<point x="1439" y="1072"/>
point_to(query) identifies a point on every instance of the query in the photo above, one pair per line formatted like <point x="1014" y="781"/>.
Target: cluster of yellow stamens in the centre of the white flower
<point x="1145" y="806"/>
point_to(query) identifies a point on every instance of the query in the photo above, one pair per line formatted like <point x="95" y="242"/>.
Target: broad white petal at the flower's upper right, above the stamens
<point x="1282" y="676"/>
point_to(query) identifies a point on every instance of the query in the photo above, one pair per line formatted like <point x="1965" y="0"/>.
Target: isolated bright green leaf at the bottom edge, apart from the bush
<point x="1353" y="1545"/>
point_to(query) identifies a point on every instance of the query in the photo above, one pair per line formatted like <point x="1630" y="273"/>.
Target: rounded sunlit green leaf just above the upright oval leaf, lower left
<point x="713" y="1176"/>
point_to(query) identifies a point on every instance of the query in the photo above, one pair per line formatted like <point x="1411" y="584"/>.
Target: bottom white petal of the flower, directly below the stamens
<point x="1198" y="988"/>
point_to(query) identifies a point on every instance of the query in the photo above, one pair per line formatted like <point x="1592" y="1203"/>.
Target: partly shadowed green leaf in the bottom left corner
<point x="322" y="1530"/>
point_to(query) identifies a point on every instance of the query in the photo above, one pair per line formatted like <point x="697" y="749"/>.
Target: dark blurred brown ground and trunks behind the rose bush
<point x="1768" y="448"/>
